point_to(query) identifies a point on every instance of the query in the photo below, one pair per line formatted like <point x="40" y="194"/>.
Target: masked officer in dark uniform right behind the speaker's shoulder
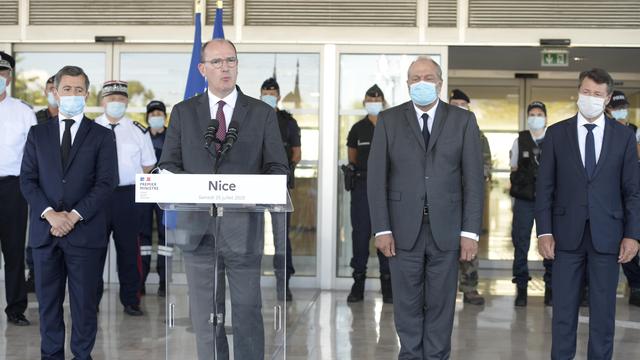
<point x="290" y="133"/>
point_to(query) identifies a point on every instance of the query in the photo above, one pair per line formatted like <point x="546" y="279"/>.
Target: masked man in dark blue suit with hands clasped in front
<point x="67" y="176"/>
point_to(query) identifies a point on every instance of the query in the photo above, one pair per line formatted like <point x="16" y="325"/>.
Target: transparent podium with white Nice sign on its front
<point x="231" y="231"/>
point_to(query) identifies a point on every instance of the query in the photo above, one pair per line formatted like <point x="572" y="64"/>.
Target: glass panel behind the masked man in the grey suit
<point x="358" y="72"/>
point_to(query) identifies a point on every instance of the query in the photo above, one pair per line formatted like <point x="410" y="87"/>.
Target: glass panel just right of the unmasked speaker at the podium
<point x="298" y="75"/>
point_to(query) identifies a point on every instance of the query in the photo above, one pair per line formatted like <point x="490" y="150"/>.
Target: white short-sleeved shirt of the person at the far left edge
<point x="16" y="119"/>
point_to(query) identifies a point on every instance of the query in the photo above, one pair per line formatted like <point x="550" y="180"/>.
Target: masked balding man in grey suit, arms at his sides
<point x="425" y="188"/>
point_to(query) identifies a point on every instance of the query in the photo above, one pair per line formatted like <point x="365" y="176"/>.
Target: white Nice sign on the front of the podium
<point x="211" y="189"/>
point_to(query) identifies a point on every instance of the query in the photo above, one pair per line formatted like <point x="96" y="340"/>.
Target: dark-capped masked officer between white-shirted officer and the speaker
<point x="156" y="118"/>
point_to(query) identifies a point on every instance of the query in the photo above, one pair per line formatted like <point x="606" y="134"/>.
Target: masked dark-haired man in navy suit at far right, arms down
<point x="587" y="215"/>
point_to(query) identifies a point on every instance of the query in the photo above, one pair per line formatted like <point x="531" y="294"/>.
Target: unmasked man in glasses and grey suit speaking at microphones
<point x="232" y="244"/>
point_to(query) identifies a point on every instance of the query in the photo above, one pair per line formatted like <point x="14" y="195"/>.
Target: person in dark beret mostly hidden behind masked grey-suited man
<point x="468" y="284"/>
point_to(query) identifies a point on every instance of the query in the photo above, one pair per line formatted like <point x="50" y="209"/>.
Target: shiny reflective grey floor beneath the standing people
<point x="321" y="325"/>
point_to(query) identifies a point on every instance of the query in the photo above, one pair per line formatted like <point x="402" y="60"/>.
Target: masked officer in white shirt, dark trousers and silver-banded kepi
<point x="135" y="155"/>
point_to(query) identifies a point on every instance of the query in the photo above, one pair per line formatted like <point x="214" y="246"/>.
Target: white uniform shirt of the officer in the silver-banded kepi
<point x="134" y="148"/>
